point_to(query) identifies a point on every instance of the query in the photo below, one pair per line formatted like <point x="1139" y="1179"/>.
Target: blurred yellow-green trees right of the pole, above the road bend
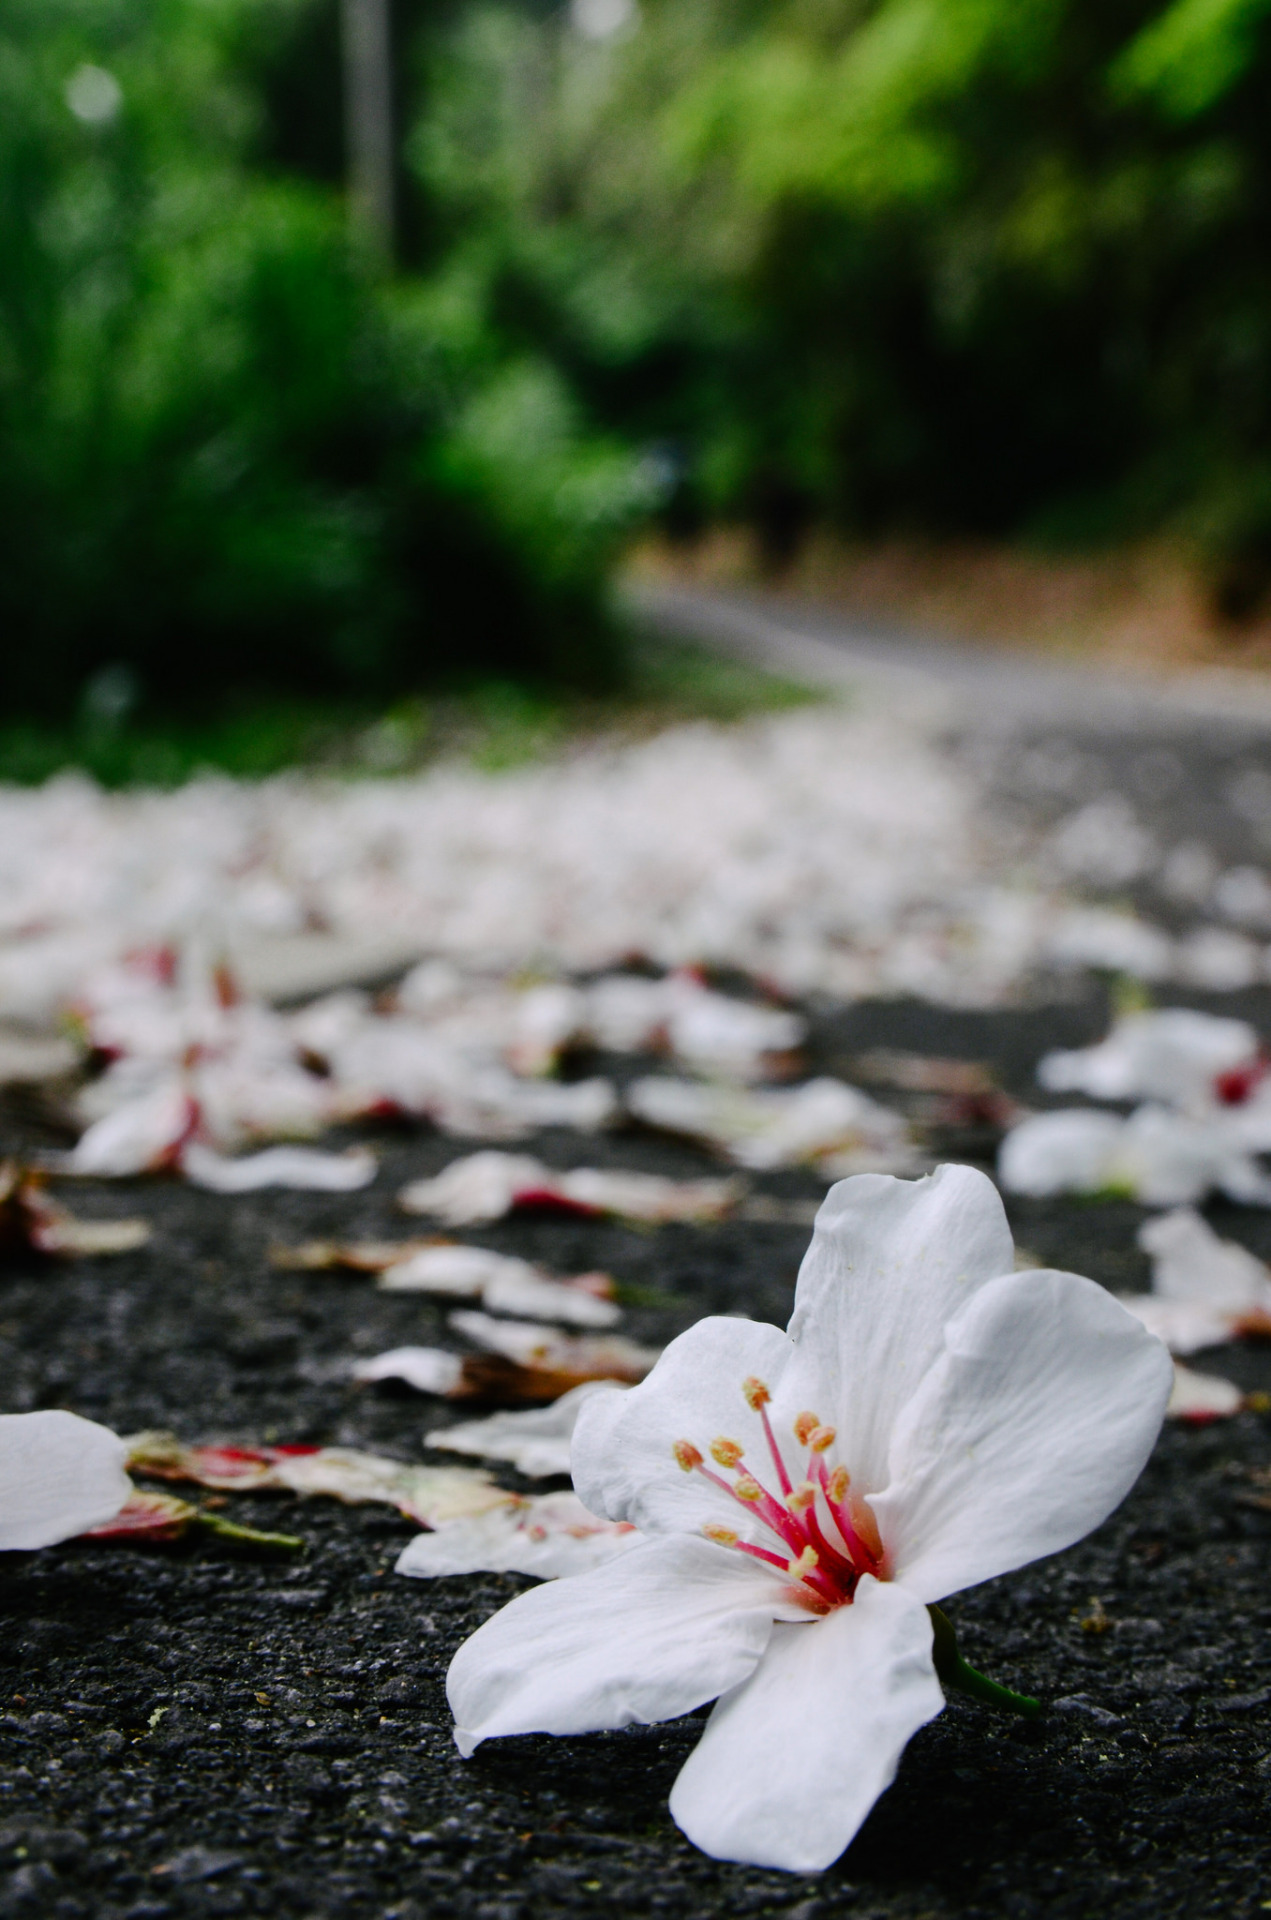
<point x="995" y="266"/>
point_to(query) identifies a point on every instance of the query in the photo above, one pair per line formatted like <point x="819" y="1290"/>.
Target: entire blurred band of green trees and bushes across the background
<point x="994" y="268"/>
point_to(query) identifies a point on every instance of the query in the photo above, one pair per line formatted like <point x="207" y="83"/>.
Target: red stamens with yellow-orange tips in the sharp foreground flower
<point x="821" y="1533"/>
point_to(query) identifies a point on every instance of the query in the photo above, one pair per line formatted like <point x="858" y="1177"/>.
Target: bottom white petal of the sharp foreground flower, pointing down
<point x="794" y="1760"/>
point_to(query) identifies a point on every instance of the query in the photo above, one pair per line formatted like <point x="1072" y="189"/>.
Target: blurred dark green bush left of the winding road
<point x="228" y="456"/>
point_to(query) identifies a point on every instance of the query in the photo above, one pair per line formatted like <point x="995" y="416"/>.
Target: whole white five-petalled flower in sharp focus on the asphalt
<point x="932" y="1420"/>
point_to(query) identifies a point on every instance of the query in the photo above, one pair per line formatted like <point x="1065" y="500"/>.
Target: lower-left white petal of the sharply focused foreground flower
<point x="669" y="1625"/>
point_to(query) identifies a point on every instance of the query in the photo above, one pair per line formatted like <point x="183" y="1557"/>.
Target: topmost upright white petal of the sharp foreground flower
<point x="890" y="1264"/>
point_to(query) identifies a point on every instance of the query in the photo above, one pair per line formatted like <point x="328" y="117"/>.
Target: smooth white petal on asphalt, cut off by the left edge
<point x="59" y="1477"/>
